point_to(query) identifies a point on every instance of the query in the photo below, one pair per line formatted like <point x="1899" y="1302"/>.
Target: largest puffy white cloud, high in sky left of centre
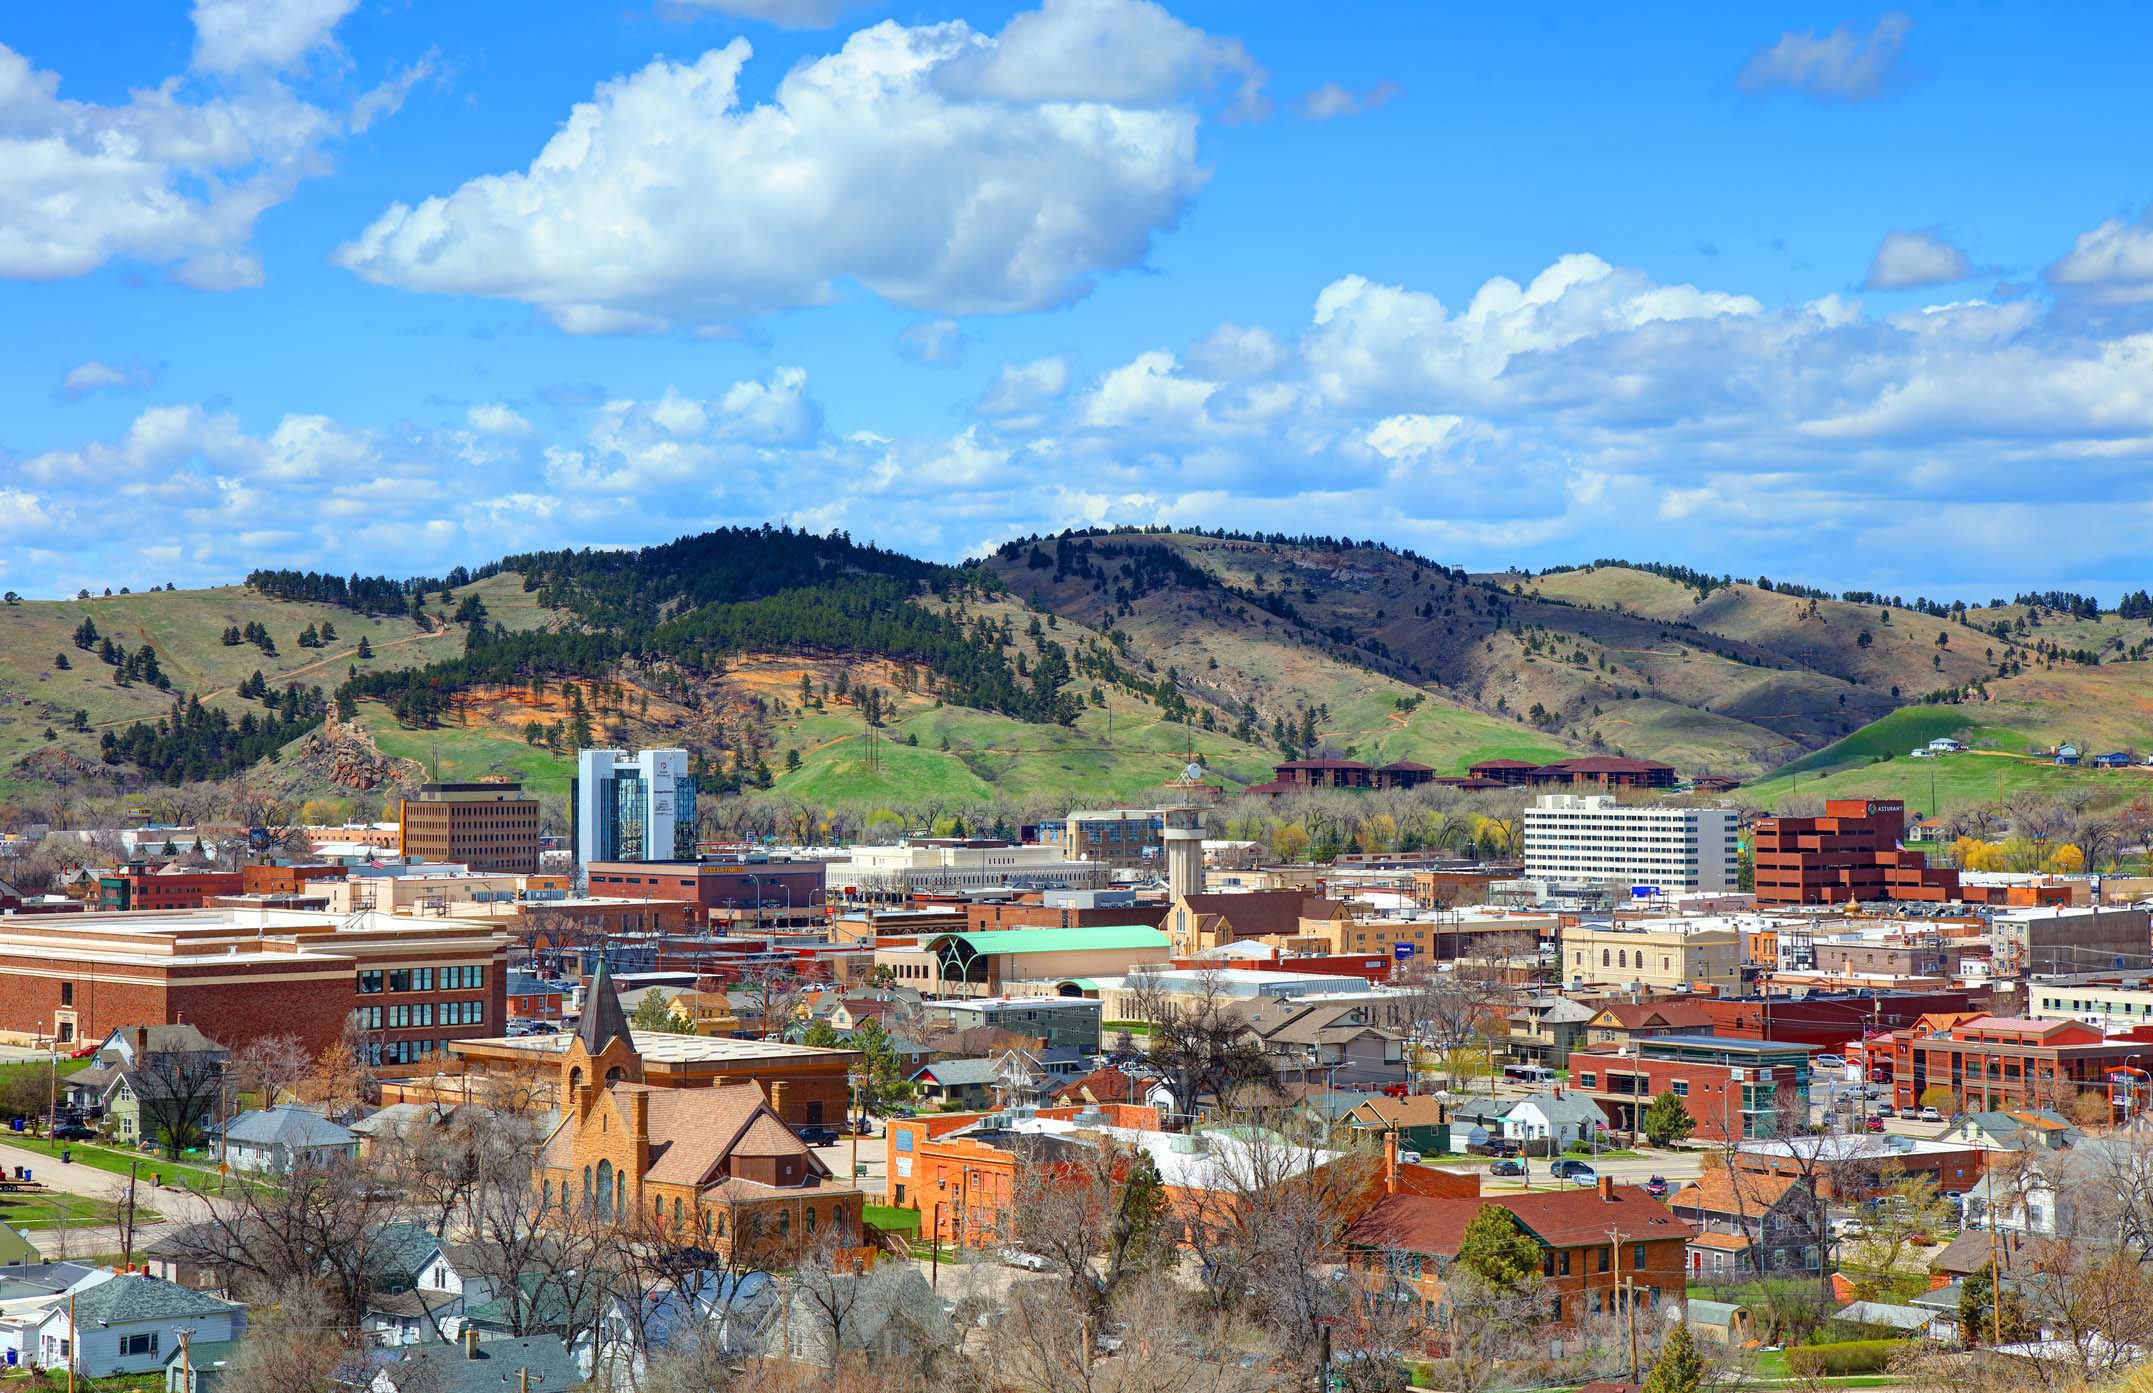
<point x="942" y="169"/>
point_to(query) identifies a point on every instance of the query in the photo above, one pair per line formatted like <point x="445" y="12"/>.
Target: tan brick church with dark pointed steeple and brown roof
<point x="701" y="1166"/>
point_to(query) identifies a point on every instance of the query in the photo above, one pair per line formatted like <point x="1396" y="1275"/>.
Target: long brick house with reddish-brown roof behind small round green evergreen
<point x="1596" y="1248"/>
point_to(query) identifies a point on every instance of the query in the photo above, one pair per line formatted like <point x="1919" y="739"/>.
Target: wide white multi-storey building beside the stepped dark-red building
<point x="1631" y="847"/>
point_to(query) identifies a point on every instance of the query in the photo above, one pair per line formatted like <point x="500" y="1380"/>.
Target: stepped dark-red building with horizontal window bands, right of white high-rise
<point x="1851" y="854"/>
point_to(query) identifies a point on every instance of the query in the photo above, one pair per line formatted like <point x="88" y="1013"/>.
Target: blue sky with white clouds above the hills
<point x="1851" y="296"/>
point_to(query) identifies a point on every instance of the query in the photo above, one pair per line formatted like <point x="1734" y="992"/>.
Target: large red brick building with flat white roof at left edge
<point x="247" y="974"/>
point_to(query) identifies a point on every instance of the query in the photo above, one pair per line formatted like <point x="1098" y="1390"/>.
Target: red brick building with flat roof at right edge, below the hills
<point x="2010" y="1063"/>
